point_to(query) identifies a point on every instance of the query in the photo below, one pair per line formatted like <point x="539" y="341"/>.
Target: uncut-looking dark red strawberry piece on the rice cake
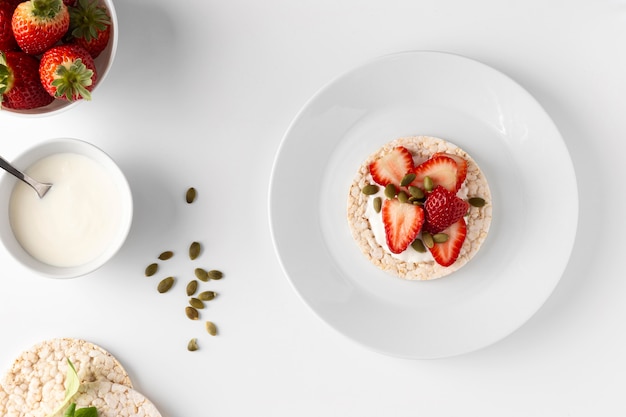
<point x="443" y="208"/>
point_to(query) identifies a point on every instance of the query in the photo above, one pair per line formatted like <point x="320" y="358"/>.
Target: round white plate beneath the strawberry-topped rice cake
<point x="511" y="138"/>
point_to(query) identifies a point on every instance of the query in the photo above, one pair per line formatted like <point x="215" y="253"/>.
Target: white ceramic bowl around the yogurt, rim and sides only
<point x="28" y="158"/>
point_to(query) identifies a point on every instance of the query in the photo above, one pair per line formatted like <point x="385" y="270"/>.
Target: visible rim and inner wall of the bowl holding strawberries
<point x="103" y="62"/>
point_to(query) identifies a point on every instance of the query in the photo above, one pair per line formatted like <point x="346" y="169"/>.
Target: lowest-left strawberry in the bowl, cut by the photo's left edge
<point x="20" y="87"/>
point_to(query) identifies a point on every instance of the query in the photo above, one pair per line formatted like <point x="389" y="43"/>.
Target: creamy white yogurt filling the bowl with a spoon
<point x="76" y="220"/>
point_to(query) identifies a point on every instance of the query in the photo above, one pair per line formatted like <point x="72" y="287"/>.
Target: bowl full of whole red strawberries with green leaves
<point x="53" y="53"/>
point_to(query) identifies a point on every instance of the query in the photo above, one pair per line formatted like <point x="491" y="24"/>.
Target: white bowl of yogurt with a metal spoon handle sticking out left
<point x="81" y="222"/>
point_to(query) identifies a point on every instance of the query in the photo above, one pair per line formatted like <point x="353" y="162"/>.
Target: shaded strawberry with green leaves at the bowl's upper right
<point x="90" y="26"/>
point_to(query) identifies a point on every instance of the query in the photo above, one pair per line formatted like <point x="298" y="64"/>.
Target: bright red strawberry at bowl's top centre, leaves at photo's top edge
<point x="39" y="24"/>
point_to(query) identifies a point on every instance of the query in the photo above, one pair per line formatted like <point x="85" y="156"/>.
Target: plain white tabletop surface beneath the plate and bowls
<point x="242" y="70"/>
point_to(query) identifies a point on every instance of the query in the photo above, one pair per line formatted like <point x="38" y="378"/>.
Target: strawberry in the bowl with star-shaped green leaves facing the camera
<point x="68" y="72"/>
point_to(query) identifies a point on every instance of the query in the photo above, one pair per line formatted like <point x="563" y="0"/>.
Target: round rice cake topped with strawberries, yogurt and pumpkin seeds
<point x="419" y="208"/>
